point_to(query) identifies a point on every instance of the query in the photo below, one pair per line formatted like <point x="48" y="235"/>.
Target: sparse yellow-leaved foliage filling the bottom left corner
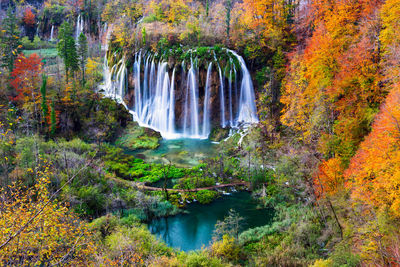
<point x="38" y="231"/>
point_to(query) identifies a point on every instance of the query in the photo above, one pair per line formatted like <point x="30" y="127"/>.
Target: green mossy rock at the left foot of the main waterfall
<point x="135" y="137"/>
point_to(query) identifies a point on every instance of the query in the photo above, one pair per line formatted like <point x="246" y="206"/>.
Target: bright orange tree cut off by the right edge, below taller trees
<point x="374" y="173"/>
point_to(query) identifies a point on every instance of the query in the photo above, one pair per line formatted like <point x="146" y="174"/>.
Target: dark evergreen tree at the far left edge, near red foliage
<point x="9" y="42"/>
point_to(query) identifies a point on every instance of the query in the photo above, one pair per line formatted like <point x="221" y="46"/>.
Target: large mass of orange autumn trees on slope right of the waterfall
<point x="332" y="90"/>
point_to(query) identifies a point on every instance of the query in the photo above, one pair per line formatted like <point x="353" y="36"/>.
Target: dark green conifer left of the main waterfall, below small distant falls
<point x="67" y="49"/>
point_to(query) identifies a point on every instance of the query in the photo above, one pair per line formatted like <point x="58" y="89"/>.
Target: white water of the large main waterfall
<point x="155" y="93"/>
